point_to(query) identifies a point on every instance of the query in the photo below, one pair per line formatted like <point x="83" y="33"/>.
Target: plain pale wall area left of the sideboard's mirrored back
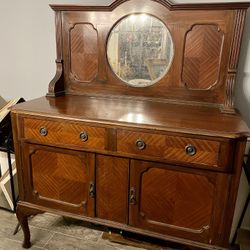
<point x="27" y="47"/>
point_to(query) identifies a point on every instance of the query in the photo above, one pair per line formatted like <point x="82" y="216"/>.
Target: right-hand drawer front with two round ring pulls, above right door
<point x="175" y="148"/>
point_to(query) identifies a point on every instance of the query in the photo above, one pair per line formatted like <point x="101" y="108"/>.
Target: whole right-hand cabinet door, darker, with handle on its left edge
<point x="173" y="202"/>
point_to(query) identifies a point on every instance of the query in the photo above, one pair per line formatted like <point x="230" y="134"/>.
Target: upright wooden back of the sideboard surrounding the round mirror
<point x="206" y="49"/>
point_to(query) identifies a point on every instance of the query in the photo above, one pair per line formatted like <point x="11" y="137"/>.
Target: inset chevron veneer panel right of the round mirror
<point x="202" y="56"/>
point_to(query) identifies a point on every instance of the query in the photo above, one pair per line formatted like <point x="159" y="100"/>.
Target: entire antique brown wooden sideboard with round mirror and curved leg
<point x="138" y="130"/>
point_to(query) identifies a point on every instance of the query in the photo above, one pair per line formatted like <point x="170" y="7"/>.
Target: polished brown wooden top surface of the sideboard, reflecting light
<point x="138" y="114"/>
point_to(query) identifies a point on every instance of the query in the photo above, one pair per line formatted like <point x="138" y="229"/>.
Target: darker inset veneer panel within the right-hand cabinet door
<point x="186" y="199"/>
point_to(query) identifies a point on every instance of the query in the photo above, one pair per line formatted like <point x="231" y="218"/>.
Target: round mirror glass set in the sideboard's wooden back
<point x="140" y="50"/>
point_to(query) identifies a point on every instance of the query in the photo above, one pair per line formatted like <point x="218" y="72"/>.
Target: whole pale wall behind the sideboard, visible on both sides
<point x="27" y="55"/>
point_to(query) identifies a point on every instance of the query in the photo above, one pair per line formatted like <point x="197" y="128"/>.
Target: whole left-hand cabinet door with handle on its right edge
<point x="59" y="179"/>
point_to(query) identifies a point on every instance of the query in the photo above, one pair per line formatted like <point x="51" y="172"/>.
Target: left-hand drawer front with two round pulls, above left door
<point x="64" y="133"/>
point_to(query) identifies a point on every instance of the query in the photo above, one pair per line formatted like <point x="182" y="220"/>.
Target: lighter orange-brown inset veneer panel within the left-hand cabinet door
<point x="61" y="177"/>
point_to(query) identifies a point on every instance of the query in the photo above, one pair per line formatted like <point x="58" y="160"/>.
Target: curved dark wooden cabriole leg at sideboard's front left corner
<point x="22" y="214"/>
